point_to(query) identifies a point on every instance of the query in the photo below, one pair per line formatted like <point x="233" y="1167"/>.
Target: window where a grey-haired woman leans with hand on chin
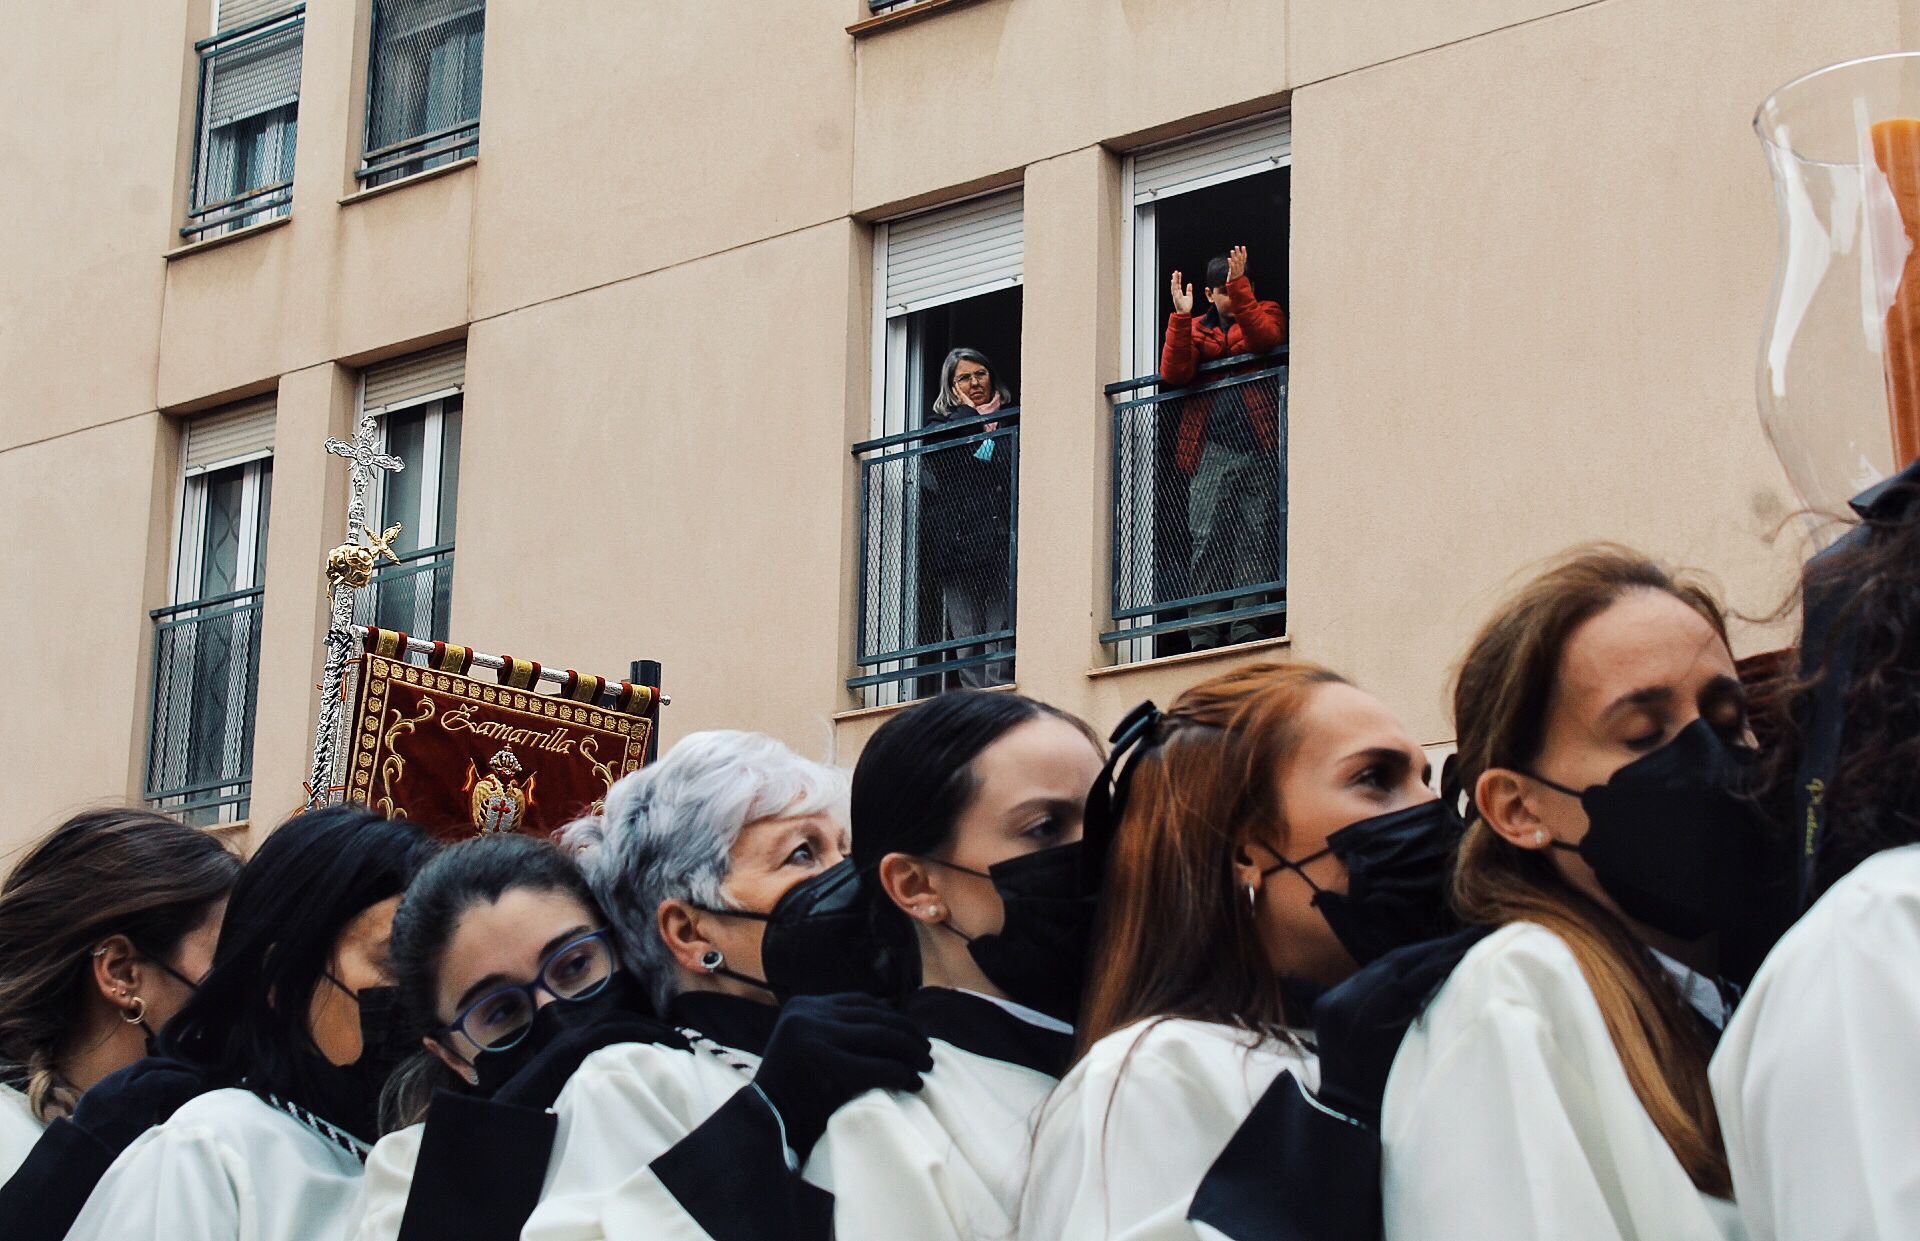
<point x="940" y="481"/>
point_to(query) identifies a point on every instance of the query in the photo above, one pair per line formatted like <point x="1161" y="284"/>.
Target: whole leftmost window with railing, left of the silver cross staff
<point x="206" y="643"/>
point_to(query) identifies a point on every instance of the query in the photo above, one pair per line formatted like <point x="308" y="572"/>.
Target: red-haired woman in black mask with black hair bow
<point x="1234" y="894"/>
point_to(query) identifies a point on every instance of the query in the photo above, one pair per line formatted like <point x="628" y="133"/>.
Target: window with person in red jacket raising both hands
<point x="1201" y="466"/>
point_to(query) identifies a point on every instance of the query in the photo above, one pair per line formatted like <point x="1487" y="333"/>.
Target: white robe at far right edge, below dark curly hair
<point x="1819" y="1073"/>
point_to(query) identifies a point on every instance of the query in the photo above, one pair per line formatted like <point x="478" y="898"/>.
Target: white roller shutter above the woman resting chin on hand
<point x="955" y="253"/>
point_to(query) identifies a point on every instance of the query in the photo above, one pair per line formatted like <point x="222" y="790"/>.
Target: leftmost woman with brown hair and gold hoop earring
<point x="107" y="925"/>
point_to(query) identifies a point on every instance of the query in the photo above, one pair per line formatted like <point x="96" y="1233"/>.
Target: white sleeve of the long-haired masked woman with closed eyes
<point x="1491" y="1142"/>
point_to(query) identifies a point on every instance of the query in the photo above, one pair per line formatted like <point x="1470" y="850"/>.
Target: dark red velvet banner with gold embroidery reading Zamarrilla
<point x="468" y="758"/>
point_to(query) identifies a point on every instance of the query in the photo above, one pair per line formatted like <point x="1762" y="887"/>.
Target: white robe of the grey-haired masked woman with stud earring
<point x="625" y="1107"/>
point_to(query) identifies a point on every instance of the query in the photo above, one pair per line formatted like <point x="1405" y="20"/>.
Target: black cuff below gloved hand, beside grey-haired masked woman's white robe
<point x="732" y="1177"/>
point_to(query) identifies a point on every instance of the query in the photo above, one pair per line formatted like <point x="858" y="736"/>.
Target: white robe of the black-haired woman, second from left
<point x="228" y="1167"/>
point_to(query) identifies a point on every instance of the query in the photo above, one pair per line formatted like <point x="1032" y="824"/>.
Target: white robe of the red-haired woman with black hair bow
<point x="1136" y="1127"/>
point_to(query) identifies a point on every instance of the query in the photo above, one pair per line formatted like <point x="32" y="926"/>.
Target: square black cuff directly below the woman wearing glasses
<point x="481" y="1171"/>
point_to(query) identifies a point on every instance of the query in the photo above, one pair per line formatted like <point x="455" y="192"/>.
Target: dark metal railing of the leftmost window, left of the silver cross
<point x="201" y="739"/>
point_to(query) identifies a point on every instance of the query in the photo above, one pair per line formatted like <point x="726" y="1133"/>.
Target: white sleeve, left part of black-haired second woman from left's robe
<point x="172" y="1184"/>
